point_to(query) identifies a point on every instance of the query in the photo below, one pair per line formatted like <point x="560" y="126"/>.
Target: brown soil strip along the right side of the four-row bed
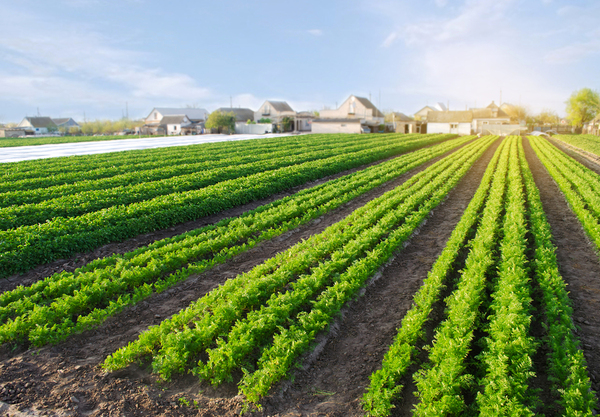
<point x="577" y="262"/>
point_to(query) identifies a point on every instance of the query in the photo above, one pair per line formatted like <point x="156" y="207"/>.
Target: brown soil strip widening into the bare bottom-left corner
<point x="49" y="378"/>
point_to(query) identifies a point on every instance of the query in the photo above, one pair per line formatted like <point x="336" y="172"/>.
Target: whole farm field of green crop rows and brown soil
<point x="320" y="275"/>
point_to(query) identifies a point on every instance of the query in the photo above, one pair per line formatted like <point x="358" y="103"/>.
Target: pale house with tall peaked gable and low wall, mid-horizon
<point x="355" y="115"/>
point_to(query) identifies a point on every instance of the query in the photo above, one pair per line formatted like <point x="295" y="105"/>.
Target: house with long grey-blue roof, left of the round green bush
<point x="174" y="121"/>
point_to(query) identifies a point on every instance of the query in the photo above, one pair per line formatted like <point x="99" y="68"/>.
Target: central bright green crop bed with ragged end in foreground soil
<point x="323" y="271"/>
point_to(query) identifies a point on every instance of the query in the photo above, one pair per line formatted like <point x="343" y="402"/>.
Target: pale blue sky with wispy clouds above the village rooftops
<point x="67" y="57"/>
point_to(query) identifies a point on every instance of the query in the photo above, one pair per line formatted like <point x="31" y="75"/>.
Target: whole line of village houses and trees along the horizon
<point x="354" y="115"/>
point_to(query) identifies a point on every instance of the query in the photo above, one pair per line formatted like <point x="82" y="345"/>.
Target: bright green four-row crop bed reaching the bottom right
<point x="497" y="380"/>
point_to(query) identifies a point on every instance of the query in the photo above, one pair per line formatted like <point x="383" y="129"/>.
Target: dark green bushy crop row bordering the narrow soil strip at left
<point x="28" y="246"/>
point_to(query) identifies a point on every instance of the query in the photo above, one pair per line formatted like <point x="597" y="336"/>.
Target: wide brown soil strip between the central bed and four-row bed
<point x="334" y="381"/>
